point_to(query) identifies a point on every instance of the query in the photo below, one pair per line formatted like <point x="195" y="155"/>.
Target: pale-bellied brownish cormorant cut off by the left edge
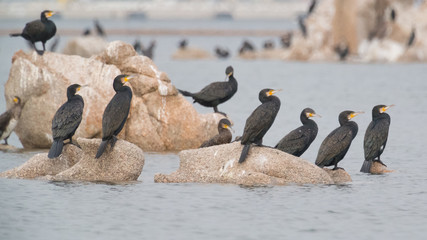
<point x="9" y="119"/>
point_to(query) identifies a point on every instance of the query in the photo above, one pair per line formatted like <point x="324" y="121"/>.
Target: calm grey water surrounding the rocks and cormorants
<point x="390" y="206"/>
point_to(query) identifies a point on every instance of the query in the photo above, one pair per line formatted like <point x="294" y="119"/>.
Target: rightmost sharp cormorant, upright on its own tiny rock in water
<point x="376" y="137"/>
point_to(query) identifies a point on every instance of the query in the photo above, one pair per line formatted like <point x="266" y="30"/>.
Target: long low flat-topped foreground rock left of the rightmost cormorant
<point x="264" y="166"/>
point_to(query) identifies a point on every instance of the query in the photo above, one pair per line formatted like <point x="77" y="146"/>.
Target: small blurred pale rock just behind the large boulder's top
<point x="85" y="46"/>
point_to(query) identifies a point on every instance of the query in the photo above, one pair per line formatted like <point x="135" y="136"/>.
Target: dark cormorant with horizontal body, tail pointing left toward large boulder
<point x="215" y="93"/>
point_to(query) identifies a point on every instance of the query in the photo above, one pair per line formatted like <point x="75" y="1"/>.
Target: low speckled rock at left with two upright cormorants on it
<point x="124" y="163"/>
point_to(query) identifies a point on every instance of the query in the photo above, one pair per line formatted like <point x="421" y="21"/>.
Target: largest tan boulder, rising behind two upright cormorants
<point x="160" y="119"/>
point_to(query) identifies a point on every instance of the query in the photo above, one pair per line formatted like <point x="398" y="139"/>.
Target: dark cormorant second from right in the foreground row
<point x="336" y="144"/>
